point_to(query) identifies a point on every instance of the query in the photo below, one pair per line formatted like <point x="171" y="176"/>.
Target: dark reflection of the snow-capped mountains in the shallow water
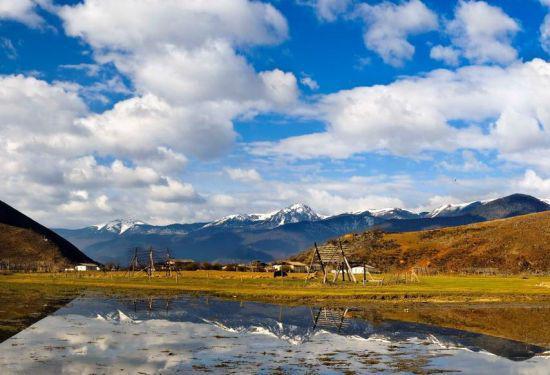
<point x="295" y="325"/>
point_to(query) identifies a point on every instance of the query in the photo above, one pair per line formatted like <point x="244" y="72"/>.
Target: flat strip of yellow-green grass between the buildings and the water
<point x="263" y="287"/>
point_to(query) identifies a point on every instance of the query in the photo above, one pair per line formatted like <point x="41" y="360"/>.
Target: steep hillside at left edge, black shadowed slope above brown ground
<point x="27" y="245"/>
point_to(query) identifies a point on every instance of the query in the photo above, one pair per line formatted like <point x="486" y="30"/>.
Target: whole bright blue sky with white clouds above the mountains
<point x="189" y="110"/>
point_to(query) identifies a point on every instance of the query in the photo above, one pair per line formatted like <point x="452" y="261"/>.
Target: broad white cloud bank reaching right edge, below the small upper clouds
<point x="387" y="118"/>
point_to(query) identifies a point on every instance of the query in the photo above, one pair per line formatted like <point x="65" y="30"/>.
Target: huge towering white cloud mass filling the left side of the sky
<point x="188" y="83"/>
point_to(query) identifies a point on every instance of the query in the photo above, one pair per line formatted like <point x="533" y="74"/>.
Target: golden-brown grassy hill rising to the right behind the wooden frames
<point x="513" y="245"/>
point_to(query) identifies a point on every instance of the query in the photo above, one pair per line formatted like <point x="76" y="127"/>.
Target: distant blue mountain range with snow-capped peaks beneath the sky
<point x="281" y="233"/>
